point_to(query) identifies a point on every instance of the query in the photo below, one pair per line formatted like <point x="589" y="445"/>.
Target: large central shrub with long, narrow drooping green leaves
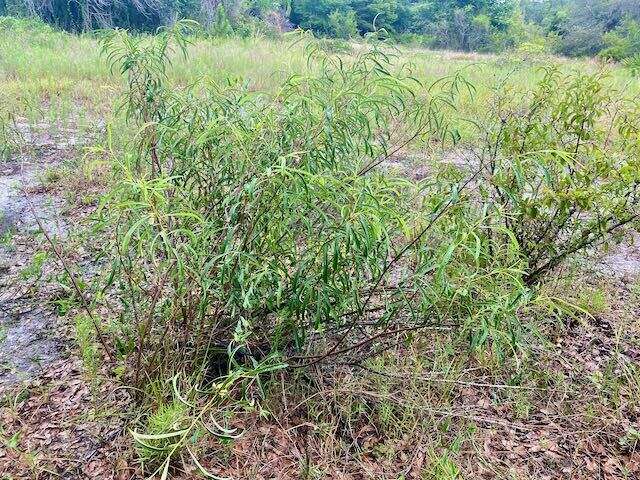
<point x="269" y="222"/>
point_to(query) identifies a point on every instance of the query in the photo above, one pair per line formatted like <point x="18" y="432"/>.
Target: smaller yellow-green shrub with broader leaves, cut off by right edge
<point x="563" y="168"/>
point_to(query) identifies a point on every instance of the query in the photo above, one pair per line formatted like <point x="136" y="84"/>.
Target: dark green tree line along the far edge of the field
<point x="610" y="28"/>
